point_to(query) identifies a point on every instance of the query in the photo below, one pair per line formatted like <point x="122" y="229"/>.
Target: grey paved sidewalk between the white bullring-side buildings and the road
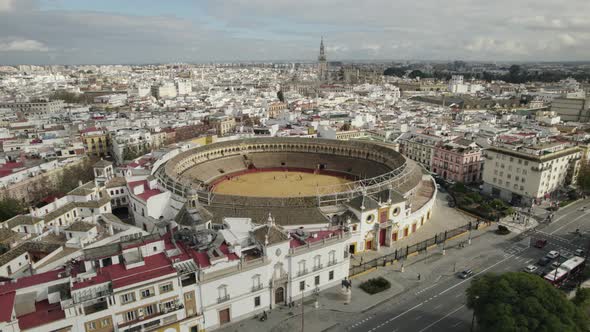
<point x="332" y="307"/>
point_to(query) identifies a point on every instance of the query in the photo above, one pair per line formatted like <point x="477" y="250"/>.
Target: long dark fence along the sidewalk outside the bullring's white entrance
<point x="402" y="253"/>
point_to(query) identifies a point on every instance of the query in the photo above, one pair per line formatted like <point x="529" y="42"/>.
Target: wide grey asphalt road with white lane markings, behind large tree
<point x="441" y="305"/>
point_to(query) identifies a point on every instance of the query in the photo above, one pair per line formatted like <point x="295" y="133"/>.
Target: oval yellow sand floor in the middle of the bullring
<point x="277" y="184"/>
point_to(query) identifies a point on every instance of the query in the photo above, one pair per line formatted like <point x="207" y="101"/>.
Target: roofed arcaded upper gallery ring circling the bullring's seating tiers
<point x="404" y="174"/>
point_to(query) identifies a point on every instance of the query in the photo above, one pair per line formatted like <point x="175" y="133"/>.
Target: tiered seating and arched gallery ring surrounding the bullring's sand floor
<point x="373" y="167"/>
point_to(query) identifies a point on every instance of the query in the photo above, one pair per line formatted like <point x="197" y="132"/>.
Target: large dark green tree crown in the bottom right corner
<point x="518" y="301"/>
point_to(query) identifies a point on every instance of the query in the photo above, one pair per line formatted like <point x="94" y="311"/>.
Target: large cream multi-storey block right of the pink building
<point x="526" y="173"/>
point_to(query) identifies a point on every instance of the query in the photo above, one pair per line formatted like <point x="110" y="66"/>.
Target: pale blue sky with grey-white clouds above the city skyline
<point x="150" y="31"/>
